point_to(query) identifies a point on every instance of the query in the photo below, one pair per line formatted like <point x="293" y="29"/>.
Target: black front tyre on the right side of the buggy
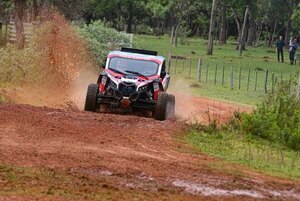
<point x="160" y="112"/>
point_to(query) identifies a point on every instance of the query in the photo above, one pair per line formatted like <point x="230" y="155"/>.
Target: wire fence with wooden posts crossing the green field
<point x="255" y="79"/>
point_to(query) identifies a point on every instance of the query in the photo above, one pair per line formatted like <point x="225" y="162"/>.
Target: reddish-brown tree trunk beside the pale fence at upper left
<point x="20" y="6"/>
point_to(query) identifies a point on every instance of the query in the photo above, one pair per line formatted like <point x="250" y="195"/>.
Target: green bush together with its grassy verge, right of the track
<point x="267" y="139"/>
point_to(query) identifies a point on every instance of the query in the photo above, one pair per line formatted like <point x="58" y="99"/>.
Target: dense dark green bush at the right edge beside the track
<point x="276" y="119"/>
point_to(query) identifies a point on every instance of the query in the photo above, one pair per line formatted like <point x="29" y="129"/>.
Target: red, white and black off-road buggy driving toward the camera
<point x="133" y="79"/>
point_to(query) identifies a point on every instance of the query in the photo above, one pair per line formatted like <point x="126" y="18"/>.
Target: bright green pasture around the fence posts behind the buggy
<point x="261" y="58"/>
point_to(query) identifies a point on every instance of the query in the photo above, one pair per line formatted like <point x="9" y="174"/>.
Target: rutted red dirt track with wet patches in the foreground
<point x="134" y="152"/>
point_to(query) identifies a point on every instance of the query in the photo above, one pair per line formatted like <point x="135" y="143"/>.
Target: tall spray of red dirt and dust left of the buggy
<point x="64" y="66"/>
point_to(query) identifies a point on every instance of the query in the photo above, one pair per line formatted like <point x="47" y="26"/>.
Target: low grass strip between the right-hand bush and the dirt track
<point x="260" y="155"/>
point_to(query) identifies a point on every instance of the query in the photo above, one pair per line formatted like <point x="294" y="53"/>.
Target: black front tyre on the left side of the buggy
<point x="91" y="98"/>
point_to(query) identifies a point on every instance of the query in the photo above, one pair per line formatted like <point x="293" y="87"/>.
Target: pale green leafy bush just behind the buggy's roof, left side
<point x="102" y="39"/>
